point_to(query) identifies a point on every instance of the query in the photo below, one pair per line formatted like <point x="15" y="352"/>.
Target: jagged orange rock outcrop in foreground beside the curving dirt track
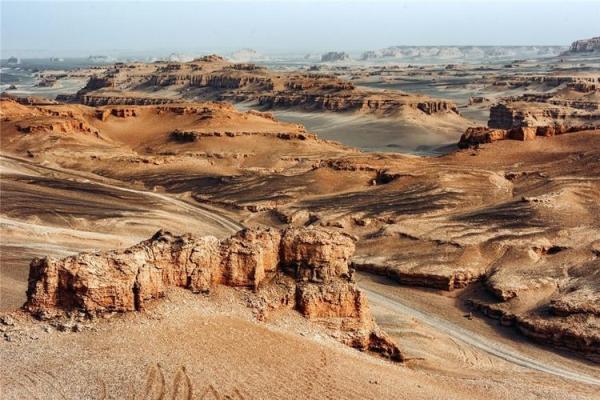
<point x="313" y="263"/>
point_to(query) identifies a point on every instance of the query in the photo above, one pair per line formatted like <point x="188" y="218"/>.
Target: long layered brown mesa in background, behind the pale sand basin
<point x="216" y="78"/>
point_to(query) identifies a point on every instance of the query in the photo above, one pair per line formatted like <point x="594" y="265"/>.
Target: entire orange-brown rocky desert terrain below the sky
<point x="402" y="222"/>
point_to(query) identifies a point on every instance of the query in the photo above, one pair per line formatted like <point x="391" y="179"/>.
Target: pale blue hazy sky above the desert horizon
<point x="141" y="27"/>
